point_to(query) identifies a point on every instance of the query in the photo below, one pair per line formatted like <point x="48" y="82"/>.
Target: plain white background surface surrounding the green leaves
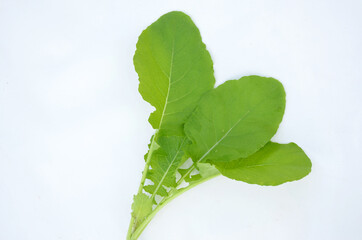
<point x="73" y="127"/>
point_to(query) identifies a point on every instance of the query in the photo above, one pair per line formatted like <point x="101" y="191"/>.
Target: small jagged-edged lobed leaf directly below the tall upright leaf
<point x="164" y="163"/>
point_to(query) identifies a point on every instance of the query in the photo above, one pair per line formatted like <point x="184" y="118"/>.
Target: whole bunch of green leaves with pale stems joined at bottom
<point x="224" y="130"/>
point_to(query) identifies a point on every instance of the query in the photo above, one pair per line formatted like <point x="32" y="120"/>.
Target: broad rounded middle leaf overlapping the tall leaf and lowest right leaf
<point x="236" y="119"/>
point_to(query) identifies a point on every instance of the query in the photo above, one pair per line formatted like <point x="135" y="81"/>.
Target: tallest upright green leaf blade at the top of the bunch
<point x="174" y="70"/>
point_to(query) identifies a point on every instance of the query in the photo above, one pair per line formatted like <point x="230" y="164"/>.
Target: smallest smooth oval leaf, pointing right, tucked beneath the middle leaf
<point x="274" y="164"/>
